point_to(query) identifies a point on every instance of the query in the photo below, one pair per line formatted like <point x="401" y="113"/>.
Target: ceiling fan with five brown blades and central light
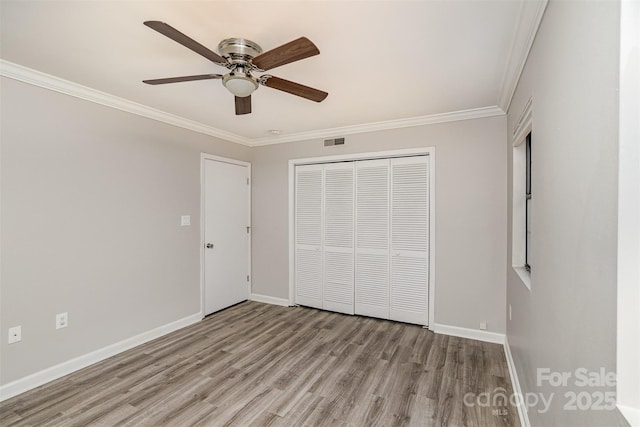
<point x="243" y="57"/>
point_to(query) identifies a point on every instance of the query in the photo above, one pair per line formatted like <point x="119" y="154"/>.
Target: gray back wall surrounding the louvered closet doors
<point x="470" y="248"/>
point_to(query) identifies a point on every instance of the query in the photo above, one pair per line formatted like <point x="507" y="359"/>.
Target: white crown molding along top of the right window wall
<point x="529" y="19"/>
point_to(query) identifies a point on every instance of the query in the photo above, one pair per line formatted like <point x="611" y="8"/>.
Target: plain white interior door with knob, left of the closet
<point x="226" y="234"/>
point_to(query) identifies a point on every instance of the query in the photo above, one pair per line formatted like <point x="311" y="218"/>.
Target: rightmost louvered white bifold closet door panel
<point x="409" y="240"/>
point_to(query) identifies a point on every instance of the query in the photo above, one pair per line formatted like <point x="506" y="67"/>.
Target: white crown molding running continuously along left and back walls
<point x="46" y="81"/>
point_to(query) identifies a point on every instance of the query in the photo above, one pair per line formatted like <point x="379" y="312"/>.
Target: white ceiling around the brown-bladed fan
<point x="380" y="61"/>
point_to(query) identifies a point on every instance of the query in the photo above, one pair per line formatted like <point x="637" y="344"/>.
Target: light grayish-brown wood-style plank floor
<point x="256" y="365"/>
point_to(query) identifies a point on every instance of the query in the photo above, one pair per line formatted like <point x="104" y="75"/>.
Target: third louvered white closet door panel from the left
<point x="372" y="238"/>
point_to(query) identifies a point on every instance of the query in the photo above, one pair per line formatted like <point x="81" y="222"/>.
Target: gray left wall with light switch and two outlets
<point x="91" y="205"/>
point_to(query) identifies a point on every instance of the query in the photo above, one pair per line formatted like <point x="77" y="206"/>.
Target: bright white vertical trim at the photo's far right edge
<point x="628" y="248"/>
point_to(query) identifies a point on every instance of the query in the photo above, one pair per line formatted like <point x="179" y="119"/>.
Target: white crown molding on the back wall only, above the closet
<point x="475" y="113"/>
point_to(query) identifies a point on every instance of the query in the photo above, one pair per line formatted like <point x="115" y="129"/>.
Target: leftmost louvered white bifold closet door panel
<point x="308" y="235"/>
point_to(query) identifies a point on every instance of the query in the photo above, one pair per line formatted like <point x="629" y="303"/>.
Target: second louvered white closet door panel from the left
<point x="338" y="237"/>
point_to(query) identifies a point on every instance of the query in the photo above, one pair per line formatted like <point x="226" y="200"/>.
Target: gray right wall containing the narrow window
<point x="568" y="318"/>
